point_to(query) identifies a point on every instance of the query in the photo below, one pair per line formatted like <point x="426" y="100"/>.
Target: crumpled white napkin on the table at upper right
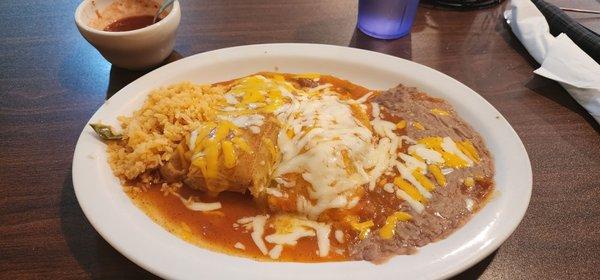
<point x="561" y="59"/>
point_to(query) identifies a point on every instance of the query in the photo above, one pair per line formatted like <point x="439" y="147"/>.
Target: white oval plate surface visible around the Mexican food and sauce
<point x="147" y="244"/>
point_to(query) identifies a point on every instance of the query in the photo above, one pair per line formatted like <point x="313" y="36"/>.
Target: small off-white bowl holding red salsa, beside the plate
<point x="136" y="49"/>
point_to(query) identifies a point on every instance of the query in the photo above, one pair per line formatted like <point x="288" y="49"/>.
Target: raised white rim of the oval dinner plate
<point x="151" y="255"/>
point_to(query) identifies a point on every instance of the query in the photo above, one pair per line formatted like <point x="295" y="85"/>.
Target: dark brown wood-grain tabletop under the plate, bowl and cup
<point x="52" y="80"/>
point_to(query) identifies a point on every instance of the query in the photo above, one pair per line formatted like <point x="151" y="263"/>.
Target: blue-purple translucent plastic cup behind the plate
<point x="386" y="19"/>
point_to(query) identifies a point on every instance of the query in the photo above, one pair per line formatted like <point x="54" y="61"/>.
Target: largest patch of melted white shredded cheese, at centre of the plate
<point x="324" y="130"/>
